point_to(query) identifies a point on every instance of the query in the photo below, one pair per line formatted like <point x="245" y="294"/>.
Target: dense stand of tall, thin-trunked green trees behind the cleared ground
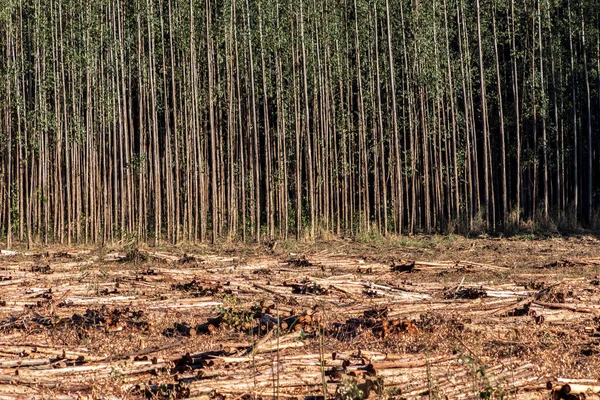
<point x="188" y="120"/>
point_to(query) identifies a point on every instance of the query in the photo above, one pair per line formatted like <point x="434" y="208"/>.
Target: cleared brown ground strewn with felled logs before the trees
<point x="429" y="317"/>
